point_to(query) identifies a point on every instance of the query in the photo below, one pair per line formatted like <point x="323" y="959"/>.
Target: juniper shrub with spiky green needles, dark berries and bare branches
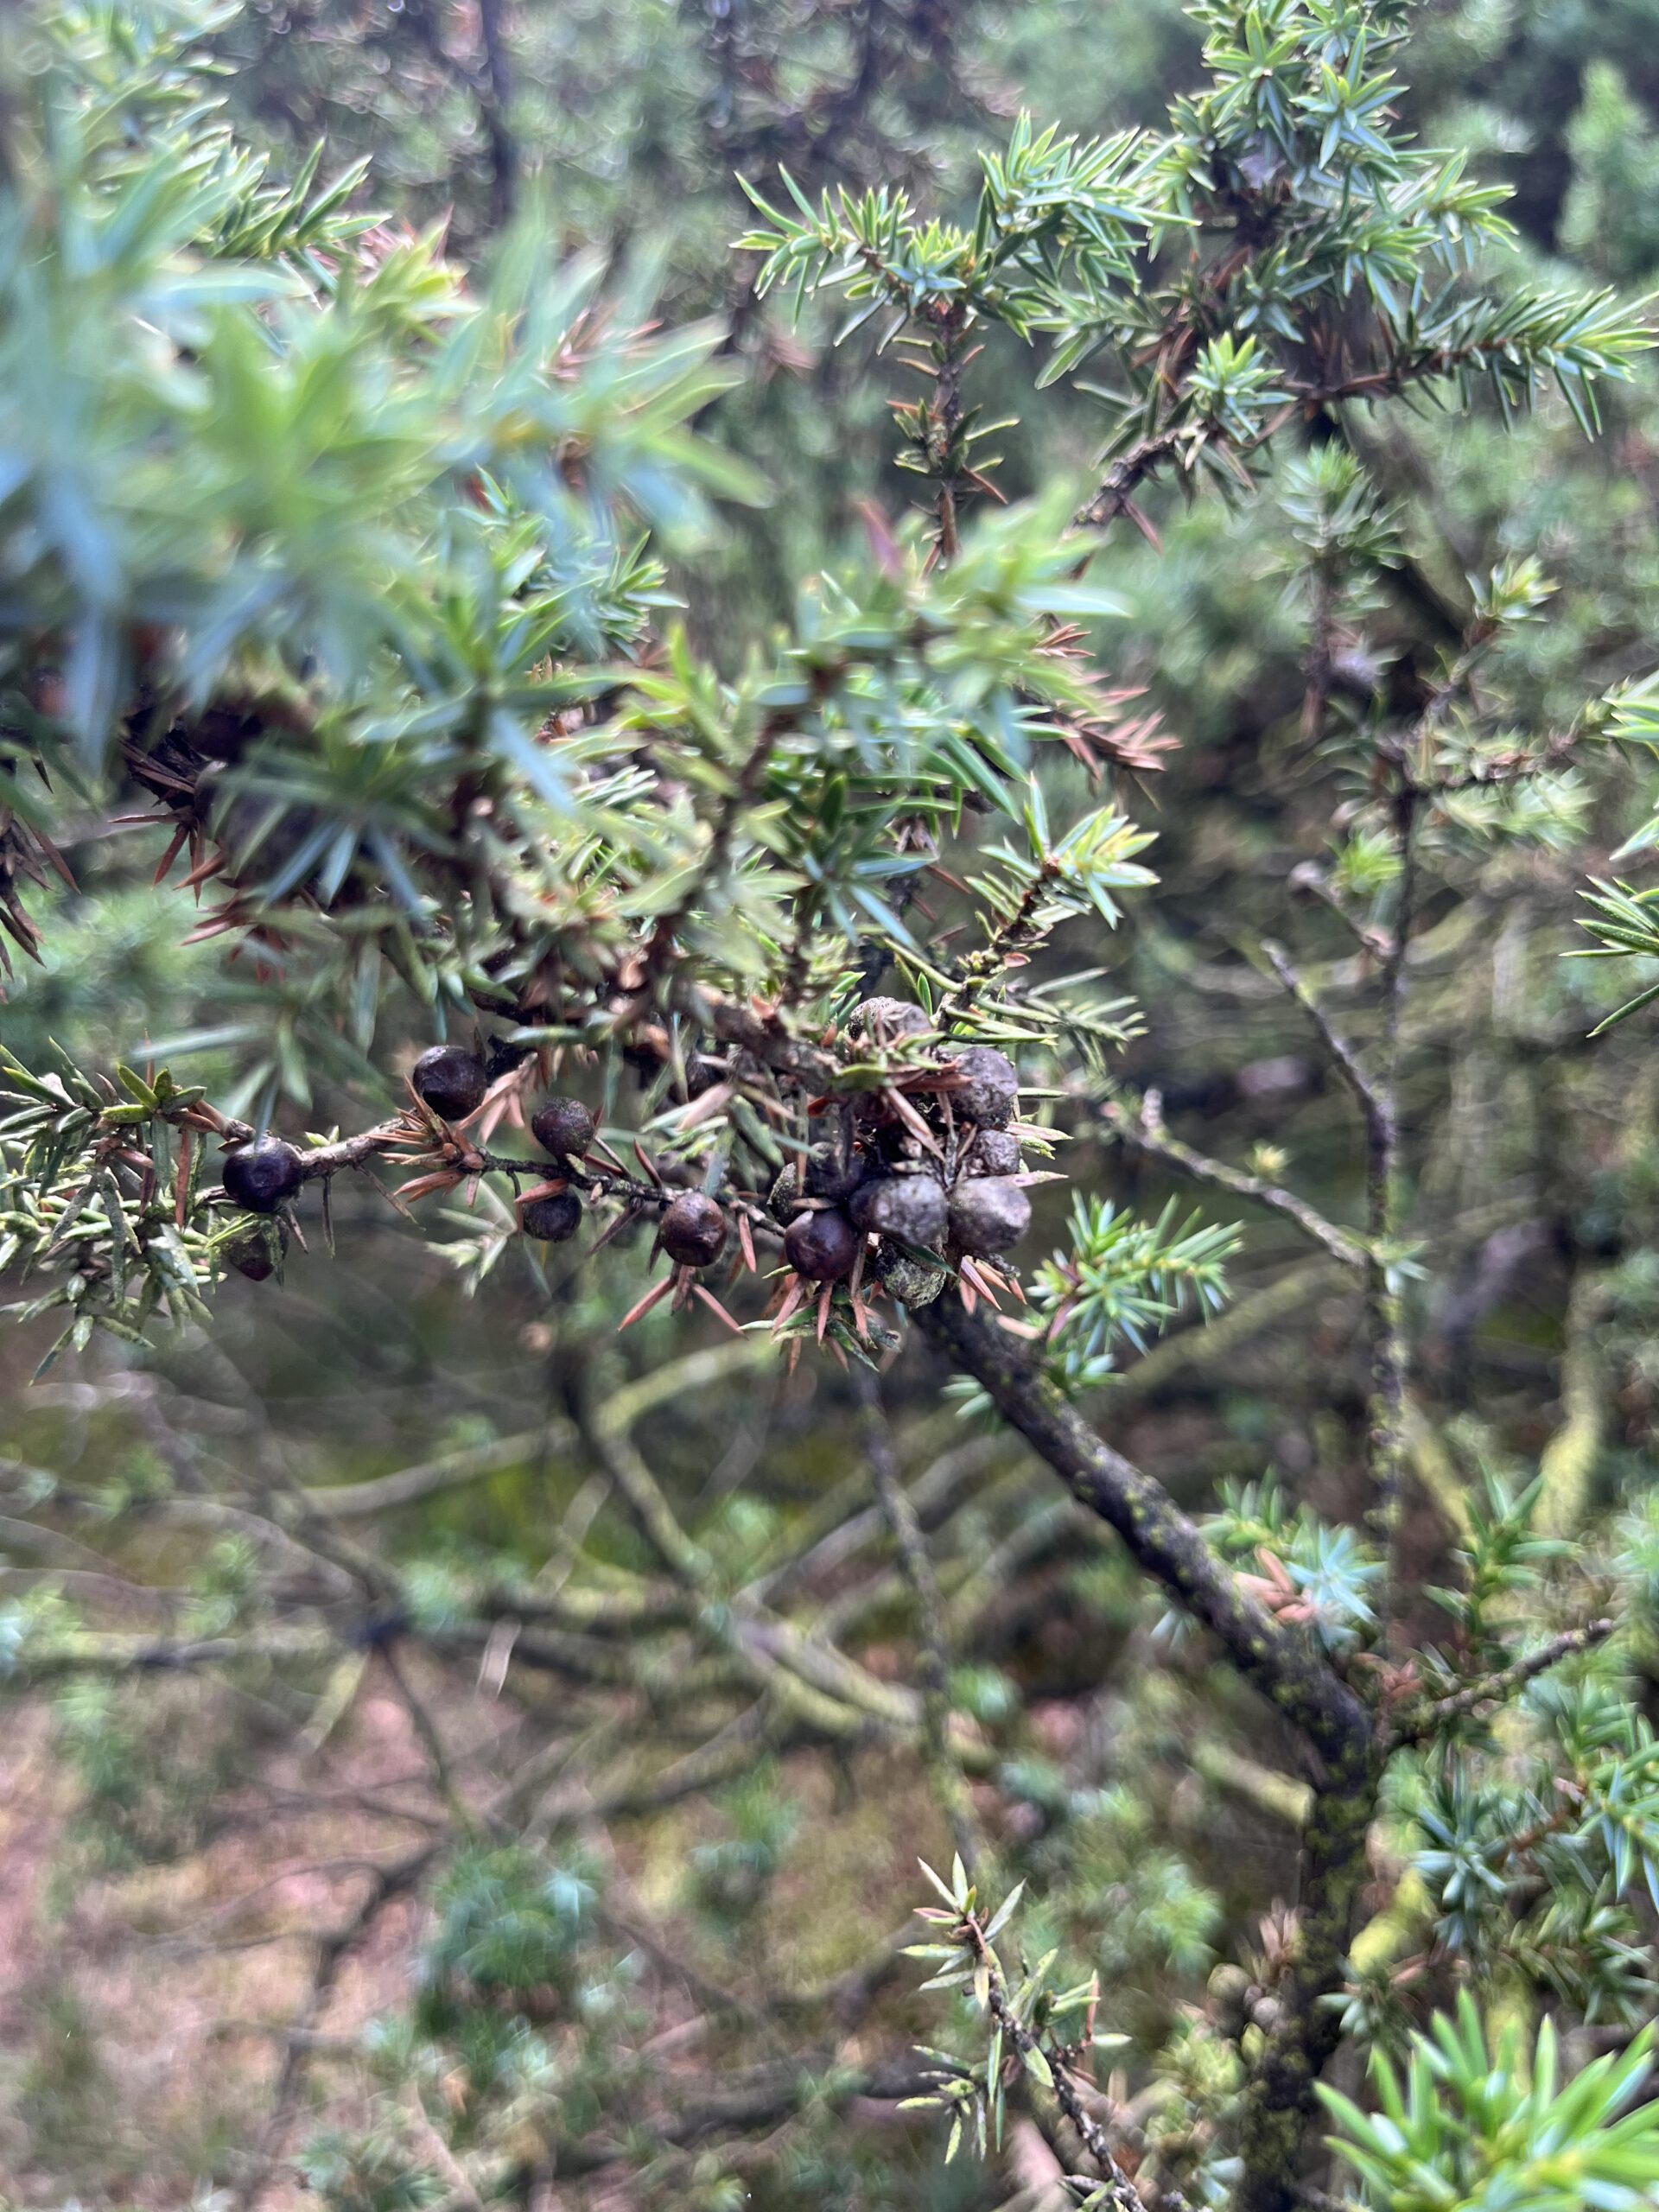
<point x="348" y="587"/>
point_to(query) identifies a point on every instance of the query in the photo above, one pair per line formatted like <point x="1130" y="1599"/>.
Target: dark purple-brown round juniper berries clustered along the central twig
<point x="910" y="1176"/>
